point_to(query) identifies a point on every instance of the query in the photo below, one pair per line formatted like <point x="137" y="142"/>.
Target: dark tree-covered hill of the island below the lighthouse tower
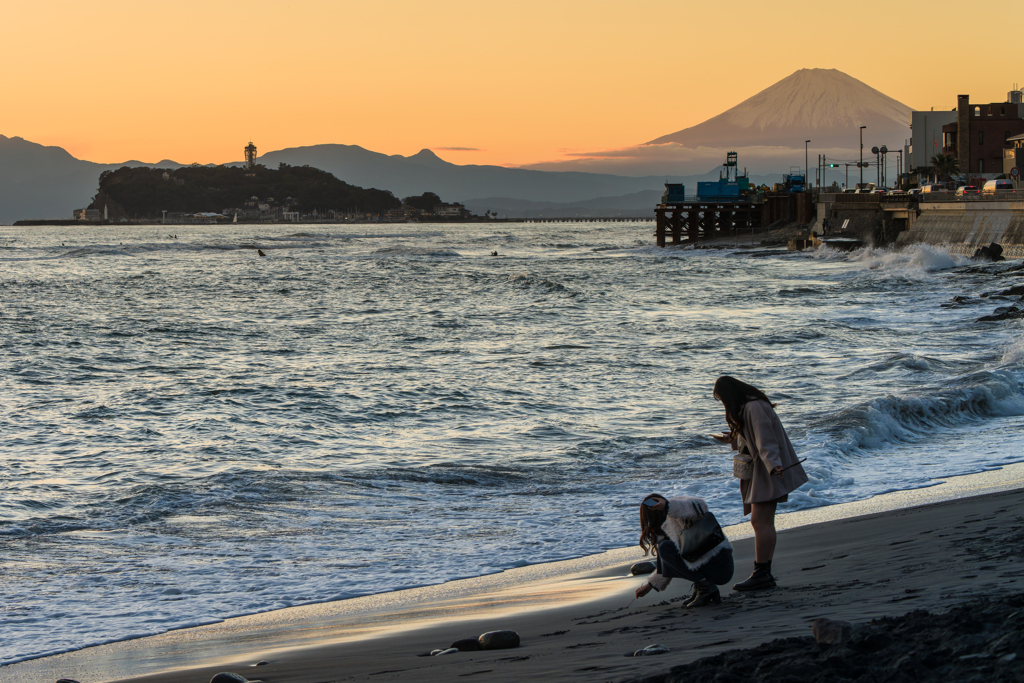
<point x="145" y="193"/>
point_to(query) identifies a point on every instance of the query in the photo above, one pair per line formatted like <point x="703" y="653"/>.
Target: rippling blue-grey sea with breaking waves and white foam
<point x="191" y="432"/>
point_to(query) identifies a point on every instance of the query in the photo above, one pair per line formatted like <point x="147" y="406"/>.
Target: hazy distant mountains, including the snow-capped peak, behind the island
<point x="769" y="131"/>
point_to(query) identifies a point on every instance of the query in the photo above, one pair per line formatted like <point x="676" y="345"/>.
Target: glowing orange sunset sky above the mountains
<point x="521" y="82"/>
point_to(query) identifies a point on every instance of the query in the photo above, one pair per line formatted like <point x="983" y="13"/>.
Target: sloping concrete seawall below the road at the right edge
<point x="967" y="226"/>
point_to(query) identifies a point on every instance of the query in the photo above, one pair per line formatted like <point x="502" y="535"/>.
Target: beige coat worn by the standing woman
<point x="769" y="444"/>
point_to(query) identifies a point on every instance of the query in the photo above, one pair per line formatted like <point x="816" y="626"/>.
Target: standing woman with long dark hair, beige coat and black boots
<point x="774" y="472"/>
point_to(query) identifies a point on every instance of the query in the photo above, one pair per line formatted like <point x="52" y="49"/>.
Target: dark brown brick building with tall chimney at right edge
<point x="980" y="134"/>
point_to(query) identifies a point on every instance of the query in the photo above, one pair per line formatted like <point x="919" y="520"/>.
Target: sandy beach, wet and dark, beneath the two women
<point x="929" y="549"/>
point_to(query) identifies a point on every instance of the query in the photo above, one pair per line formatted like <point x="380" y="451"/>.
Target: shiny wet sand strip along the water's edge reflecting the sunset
<point x="543" y="593"/>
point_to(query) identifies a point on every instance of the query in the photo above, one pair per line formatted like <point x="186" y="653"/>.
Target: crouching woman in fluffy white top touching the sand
<point x="688" y="543"/>
